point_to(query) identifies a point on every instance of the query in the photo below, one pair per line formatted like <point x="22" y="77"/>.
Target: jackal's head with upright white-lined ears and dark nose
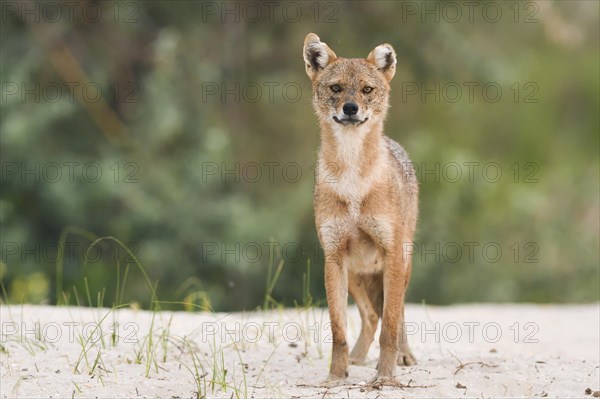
<point x="349" y="92"/>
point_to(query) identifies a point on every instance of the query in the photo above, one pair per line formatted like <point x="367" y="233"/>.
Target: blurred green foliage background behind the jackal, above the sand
<point x="200" y="176"/>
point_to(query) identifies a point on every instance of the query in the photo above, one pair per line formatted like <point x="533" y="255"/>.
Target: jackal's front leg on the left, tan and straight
<point x="336" y="285"/>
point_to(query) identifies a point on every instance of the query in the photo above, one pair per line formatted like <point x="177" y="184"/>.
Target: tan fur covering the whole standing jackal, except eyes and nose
<point x="365" y="204"/>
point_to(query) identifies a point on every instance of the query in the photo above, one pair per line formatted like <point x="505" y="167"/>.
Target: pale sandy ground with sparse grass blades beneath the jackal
<point x="470" y="351"/>
